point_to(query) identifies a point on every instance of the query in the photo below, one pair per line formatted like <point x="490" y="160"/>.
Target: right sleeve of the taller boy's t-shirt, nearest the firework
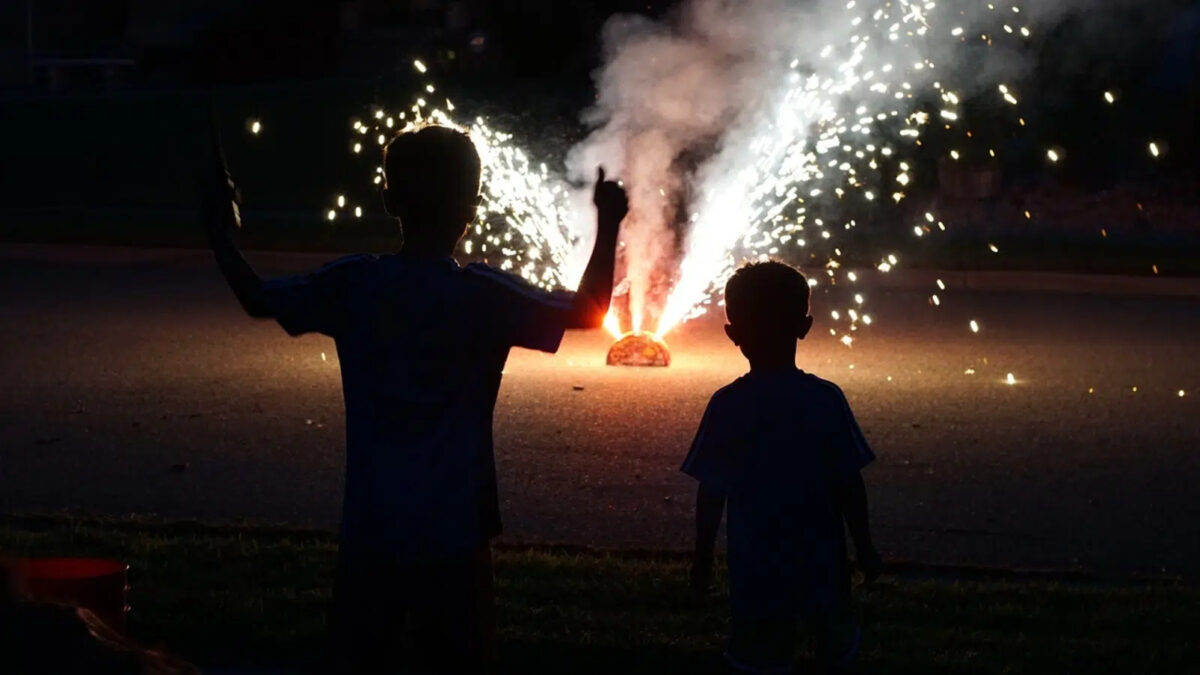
<point x="520" y="314"/>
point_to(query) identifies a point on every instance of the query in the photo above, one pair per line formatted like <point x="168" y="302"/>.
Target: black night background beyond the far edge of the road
<point x="105" y="109"/>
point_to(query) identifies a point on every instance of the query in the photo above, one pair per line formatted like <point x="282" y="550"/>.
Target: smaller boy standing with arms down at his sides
<point x="783" y="449"/>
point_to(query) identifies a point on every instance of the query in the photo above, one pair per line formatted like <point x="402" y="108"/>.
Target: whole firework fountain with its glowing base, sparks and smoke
<point x="743" y="132"/>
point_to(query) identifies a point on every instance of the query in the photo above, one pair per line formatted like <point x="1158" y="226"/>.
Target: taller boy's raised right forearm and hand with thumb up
<point x="596" y="289"/>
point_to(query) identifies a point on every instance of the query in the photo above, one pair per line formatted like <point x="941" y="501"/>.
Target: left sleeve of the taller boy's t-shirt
<point x="315" y="302"/>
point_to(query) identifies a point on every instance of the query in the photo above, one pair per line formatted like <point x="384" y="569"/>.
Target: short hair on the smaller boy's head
<point x="766" y="294"/>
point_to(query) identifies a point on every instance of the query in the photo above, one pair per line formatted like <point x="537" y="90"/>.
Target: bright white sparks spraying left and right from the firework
<point x="820" y="145"/>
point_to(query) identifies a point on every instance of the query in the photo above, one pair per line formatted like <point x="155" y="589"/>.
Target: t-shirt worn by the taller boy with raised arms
<point x="422" y="347"/>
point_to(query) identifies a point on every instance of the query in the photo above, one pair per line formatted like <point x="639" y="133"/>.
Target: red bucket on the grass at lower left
<point x="94" y="584"/>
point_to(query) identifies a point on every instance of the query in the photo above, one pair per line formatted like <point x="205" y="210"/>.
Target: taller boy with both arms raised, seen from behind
<point x="422" y="344"/>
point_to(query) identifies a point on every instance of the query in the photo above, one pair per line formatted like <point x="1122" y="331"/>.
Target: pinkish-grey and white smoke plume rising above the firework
<point x="701" y="112"/>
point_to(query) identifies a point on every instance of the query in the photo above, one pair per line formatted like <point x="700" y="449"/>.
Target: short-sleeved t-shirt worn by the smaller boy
<point x="777" y="444"/>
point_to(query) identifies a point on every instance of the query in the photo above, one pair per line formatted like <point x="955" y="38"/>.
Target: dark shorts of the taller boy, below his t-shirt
<point x="393" y="617"/>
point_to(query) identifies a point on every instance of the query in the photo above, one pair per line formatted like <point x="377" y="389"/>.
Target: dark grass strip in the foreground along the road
<point x="226" y="595"/>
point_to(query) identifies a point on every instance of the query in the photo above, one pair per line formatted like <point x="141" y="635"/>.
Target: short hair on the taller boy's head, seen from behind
<point x="433" y="171"/>
